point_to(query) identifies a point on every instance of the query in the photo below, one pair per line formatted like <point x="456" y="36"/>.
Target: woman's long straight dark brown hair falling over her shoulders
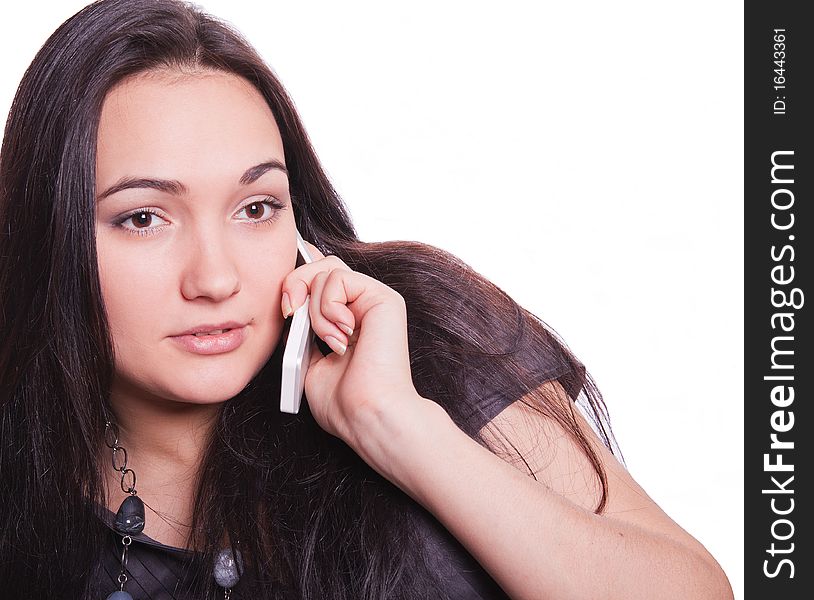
<point x="310" y="515"/>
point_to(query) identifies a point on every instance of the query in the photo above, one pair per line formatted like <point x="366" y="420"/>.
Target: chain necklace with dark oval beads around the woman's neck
<point x="130" y="521"/>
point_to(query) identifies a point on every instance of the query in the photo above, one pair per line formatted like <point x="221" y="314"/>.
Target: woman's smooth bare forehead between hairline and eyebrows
<point x="169" y="123"/>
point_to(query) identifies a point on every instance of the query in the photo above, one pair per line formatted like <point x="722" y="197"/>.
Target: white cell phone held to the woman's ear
<point x="297" y="353"/>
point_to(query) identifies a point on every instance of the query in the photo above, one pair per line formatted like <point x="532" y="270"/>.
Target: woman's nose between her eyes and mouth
<point x="210" y="269"/>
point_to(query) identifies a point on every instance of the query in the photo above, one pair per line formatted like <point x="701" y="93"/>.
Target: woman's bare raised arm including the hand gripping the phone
<point x="538" y="539"/>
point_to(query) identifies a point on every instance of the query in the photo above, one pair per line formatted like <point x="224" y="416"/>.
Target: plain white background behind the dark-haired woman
<point x="584" y="156"/>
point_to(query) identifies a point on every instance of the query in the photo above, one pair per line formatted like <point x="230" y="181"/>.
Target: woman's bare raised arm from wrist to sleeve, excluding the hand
<point x="539" y="539"/>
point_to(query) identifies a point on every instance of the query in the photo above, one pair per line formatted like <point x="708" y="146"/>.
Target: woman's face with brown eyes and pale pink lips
<point x="194" y="227"/>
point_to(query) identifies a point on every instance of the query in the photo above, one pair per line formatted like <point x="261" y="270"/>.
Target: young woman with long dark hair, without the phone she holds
<point x="153" y="178"/>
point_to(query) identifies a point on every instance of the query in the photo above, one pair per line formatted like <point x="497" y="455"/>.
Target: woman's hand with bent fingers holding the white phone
<point x="369" y="369"/>
